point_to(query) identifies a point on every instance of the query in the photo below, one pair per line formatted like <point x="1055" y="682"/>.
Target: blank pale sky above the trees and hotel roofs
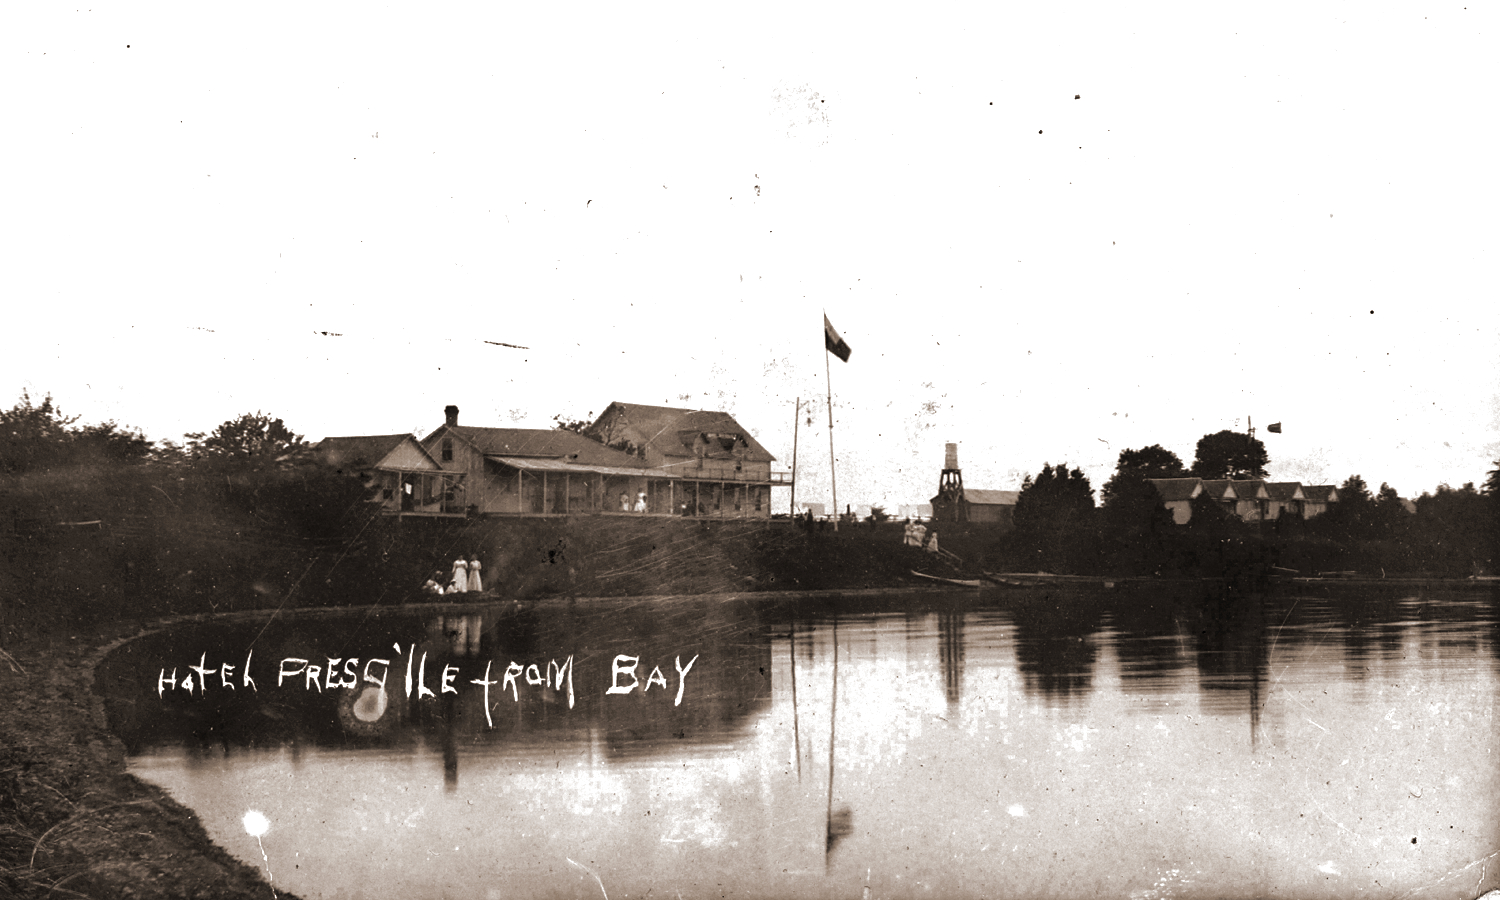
<point x="1049" y="232"/>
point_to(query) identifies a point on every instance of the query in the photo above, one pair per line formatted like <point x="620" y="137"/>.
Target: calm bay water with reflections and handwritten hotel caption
<point x="1033" y="743"/>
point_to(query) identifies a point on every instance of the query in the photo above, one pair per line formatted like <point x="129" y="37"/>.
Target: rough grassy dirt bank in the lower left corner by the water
<point x="73" y="823"/>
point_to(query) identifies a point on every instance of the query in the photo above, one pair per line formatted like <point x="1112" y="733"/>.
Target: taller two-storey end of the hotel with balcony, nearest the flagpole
<point x="707" y="463"/>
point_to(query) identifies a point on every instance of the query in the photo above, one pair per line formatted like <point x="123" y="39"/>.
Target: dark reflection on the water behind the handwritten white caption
<point x="490" y="682"/>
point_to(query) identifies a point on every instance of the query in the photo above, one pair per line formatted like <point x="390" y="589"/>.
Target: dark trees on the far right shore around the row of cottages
<point x="1453" y="533"/>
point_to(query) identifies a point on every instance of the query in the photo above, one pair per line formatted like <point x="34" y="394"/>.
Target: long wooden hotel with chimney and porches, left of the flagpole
<point x="647" y="461"/>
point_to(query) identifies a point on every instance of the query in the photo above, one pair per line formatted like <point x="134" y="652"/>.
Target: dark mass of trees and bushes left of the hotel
<point x="100" y="521"/>
